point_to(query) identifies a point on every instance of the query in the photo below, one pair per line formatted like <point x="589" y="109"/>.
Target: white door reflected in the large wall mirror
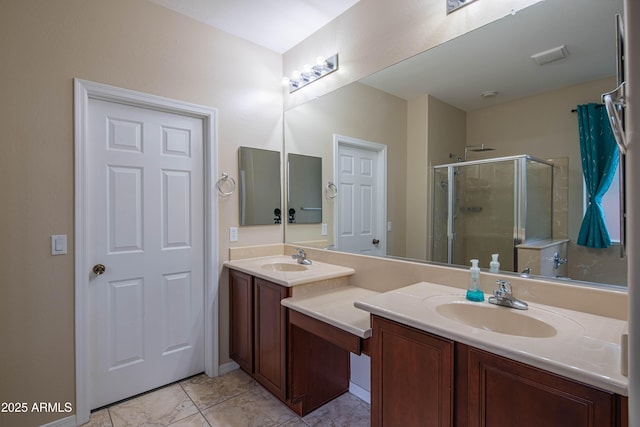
<point x="361" y="208"/>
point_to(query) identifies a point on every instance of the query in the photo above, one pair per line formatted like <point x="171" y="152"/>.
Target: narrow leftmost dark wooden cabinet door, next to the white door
<point x="241" y="318"/>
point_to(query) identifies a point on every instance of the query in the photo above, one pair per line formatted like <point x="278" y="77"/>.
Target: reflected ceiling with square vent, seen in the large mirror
<point x="497" y="57"/>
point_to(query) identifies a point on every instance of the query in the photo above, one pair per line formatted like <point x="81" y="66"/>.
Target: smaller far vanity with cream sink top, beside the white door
<point x="302" y="361"/>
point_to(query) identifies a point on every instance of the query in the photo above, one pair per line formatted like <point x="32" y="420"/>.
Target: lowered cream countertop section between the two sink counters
<point x="336" y="307"/>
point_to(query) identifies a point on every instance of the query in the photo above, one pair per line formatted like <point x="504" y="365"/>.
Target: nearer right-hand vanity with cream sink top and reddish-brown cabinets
<point x="432" y="364"/>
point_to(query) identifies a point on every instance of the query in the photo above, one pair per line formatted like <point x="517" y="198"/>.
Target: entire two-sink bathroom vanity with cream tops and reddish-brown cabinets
<point x="436" y="358"/>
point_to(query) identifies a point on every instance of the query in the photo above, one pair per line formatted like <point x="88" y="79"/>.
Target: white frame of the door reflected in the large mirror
<point x="381" y="206"/>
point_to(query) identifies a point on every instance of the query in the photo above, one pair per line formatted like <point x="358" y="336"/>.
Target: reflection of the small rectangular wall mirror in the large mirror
<point x="304" y="189"/>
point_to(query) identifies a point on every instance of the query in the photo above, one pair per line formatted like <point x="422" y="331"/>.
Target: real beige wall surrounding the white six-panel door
<point x="127" y="43"/>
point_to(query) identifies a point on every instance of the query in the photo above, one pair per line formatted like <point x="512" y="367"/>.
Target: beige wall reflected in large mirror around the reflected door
<point x="355" y="111"/>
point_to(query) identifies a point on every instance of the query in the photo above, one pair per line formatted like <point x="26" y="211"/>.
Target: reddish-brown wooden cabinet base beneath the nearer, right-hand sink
<point x="419" y="379"/>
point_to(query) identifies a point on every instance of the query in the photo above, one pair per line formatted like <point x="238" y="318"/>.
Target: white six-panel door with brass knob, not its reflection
<point x="146" y="226"/>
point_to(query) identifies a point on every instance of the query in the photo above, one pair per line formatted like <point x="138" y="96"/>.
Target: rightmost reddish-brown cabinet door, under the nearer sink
<point x="503" y="392"/>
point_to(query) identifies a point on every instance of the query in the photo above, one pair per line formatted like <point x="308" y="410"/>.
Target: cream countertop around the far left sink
<point x="314" y="272"/>
